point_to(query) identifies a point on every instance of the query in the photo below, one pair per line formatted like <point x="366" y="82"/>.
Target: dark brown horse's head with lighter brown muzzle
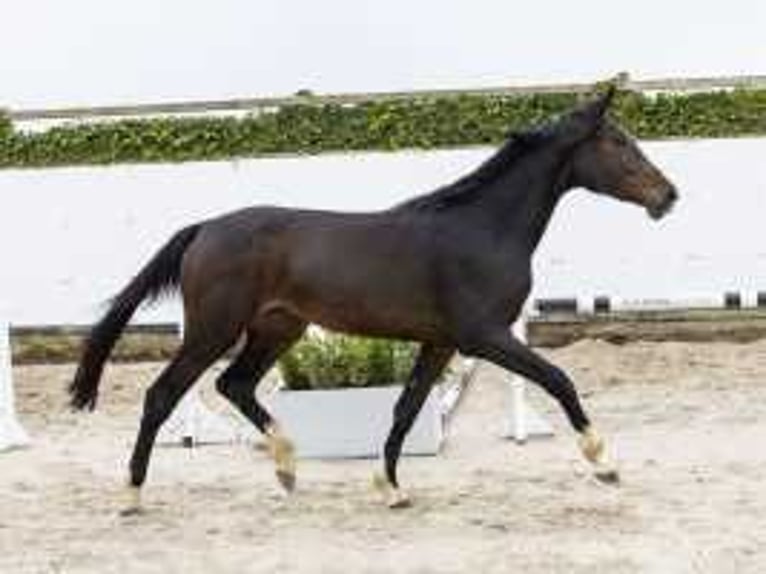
<point x="605" y="159"/>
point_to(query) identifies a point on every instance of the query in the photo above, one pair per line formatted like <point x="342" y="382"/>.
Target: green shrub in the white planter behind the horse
<point x="333" y="361"/>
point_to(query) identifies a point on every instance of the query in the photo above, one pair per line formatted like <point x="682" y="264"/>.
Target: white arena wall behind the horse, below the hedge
<point x="71" y="237"/>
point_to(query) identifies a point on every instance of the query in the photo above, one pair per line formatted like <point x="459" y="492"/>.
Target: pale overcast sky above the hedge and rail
<point x="67" y="52"/>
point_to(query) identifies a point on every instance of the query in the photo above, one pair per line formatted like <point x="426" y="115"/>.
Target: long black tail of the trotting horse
<point x="160" y="275"/>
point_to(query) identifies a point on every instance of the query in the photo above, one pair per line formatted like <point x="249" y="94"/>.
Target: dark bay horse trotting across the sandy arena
<point x="450" y="270"/>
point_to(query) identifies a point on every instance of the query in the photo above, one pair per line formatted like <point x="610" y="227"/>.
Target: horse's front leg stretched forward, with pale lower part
<point x="499" y="346"/>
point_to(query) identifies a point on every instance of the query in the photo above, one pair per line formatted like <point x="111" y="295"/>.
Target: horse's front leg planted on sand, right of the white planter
<point x="429" y="364"/>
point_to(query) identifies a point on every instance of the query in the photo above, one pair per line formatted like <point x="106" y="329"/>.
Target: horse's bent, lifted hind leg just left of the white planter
<point x="265" y="342"/>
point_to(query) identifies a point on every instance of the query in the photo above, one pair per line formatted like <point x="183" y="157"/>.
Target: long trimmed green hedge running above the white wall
<point x="422" y="123"/>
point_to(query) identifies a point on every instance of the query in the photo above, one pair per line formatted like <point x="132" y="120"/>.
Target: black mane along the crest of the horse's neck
<point x="518" y="145"/>
